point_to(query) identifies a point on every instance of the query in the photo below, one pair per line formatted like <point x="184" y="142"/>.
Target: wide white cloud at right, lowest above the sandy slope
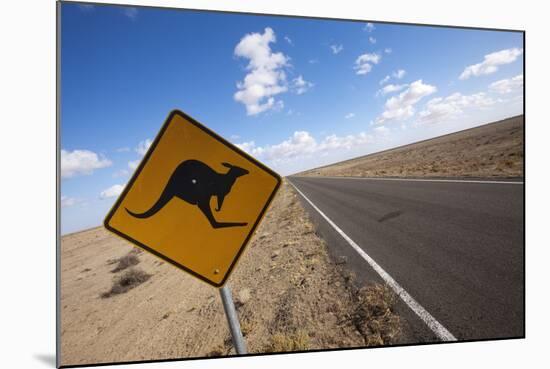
<point x="440" y="109"/>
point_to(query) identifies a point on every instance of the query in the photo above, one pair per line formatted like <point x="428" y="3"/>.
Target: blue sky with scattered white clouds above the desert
<point x="295" y="93"/>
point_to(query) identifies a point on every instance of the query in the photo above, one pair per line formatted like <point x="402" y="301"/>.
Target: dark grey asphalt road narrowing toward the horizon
<point x="457" y="248"/>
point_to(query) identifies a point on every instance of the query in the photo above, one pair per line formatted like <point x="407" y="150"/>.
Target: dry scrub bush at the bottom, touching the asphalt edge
<point x="374" y="317"/>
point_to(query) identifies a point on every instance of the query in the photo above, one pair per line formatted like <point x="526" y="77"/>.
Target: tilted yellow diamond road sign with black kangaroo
<point x="194" y="200"/>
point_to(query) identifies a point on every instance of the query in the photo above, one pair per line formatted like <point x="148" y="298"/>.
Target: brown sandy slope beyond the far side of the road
<point x="492" y="150"/>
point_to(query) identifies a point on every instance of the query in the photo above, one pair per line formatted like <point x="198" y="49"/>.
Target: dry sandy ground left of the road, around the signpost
<point x="289" y="294"/>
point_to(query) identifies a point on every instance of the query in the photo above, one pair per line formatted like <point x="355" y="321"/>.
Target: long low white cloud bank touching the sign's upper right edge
<point x="301" y="144"/>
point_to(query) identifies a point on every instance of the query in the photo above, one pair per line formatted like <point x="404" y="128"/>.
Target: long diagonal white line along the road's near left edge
<point x="440" y="331"/>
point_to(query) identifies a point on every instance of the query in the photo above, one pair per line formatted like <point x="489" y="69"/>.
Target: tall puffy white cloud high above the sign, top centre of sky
<point x="266" y="77"/>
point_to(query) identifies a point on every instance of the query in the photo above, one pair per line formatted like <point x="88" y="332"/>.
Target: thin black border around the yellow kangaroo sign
<point x="144" y="161"/>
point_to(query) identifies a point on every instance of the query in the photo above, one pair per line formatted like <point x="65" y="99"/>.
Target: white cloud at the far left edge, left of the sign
<point x="81" y="162"/>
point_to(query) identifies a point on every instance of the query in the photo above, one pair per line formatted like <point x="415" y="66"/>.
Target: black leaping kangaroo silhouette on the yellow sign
<point x="195" y="182"/>
